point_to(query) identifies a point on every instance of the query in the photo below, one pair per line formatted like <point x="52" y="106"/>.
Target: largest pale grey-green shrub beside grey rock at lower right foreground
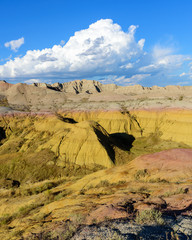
<point x="149" y="217"/>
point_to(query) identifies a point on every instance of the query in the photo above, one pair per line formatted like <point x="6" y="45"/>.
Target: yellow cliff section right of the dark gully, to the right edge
<point x="175" y="125"/>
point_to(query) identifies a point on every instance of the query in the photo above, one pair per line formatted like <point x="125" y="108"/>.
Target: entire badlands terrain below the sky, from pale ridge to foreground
<point x="82" y="160"/>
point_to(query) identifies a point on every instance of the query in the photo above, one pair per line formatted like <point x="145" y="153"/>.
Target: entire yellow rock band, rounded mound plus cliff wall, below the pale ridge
<point x="87" y="142"/>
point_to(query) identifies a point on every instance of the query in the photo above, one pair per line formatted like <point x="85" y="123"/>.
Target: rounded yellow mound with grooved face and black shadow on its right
<point x="78" y="143"/>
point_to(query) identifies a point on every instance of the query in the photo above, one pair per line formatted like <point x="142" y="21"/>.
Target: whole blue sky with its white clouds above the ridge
<point x="125" y="42"/>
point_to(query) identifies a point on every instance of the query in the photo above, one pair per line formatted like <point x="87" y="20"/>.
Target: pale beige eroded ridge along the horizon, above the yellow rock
<point x="89" y="94"/>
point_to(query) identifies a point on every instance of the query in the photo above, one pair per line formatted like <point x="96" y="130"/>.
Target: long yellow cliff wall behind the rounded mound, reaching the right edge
<point x="173" y="124"/>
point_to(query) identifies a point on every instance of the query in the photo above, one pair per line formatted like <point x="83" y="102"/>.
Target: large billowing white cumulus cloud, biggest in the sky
<point x="101" y="49"/>
